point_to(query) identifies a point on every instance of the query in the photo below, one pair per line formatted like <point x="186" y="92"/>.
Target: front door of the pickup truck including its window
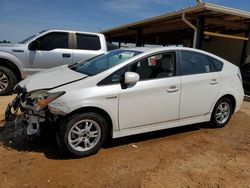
<point x="53" y="50"/>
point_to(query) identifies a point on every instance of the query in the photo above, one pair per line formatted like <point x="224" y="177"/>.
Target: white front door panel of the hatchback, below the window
<point x="149" y="102"/>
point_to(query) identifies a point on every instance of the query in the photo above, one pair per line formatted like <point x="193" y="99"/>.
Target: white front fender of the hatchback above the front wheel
<point x="104" y="98"/>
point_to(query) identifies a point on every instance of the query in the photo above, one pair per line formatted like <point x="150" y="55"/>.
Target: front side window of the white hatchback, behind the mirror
<point x="157" y="66"/>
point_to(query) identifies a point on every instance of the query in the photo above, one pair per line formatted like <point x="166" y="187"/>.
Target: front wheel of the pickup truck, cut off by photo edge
<point x="7" y="81"/>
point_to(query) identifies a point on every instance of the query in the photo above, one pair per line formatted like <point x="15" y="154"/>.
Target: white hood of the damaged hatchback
<point x="51" y="78"/>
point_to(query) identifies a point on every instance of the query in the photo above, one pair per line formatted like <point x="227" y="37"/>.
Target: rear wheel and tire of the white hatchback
<point x="222" y="113"/>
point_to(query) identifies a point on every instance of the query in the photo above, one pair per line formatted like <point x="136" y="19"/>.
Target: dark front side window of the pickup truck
<point x="53" y="40"/>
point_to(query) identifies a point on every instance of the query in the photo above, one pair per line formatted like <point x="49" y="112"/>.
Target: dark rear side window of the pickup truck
<point x="88" y="42"/>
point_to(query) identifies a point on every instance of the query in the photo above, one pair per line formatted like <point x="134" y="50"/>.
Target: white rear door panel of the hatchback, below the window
<point x="196" y="90"/>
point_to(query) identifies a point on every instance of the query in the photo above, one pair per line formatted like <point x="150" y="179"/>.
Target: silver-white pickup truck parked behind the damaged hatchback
<point x="47" y="49"/>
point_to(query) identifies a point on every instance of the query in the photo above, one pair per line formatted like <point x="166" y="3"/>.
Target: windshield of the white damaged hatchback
<point x="101" y="63"/>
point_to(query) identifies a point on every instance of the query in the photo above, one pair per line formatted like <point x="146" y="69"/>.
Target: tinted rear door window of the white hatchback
<point x="194" y="63"/>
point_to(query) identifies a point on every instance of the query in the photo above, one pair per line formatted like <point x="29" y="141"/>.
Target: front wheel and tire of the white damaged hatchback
<point x="82" y="134"/>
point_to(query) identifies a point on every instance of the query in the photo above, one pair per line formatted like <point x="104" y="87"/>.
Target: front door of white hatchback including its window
<point x="155" y="97"/>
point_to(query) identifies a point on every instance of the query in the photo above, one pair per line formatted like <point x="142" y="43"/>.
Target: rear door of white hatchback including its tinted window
<point x="200" y="84"/>
